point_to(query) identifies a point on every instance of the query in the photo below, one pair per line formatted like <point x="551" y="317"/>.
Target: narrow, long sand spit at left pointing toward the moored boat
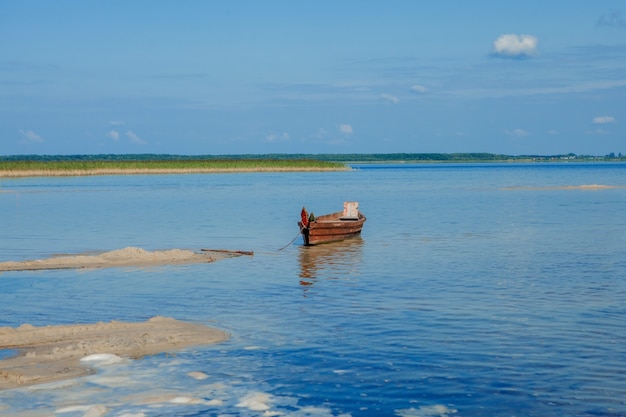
<point x="130" y="256"/>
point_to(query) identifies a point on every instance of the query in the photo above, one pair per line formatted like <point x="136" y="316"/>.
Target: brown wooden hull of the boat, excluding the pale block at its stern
<point x="331" y="228"/>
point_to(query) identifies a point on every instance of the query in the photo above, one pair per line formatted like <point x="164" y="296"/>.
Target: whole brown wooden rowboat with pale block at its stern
<point x="331" y="227"/>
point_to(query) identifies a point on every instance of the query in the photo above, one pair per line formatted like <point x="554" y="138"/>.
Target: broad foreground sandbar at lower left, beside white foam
<point x="54" y="353"/>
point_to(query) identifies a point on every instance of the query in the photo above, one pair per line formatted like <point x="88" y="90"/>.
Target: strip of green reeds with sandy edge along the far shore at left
<point x="23" y="168"/>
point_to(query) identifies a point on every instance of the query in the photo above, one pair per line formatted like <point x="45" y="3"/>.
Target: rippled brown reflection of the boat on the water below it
<point x="330" y="260"/>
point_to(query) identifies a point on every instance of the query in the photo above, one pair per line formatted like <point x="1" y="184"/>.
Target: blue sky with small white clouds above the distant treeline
<point x="214" y="77"/>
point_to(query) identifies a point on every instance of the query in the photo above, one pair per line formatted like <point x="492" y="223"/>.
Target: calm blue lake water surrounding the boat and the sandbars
<point x="475" y="290"/>
